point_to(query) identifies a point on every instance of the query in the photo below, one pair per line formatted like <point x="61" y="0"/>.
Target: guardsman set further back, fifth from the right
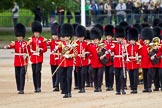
<point x="109" y="71"/>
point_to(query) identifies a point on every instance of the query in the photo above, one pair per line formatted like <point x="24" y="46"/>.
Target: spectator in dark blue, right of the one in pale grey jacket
<point x="129" y="6"/>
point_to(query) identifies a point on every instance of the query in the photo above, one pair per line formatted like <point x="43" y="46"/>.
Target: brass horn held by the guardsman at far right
<point x="153" y="48"/>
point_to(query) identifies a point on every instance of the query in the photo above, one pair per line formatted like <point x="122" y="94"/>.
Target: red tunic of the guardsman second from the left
<point x="35" y="45"/>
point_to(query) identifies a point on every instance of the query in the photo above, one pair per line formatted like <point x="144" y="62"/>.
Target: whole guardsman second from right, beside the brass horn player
<point x="146" y="65"/>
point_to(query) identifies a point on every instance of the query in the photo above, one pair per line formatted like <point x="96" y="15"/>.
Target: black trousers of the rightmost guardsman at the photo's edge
<point x="156" y="77"/>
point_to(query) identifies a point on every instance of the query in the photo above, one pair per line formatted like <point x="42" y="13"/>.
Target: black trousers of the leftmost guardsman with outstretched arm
<point x="20" y="77"/>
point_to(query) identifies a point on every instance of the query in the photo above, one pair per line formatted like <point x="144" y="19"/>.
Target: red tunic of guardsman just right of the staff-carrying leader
<point x="82" y="48"/>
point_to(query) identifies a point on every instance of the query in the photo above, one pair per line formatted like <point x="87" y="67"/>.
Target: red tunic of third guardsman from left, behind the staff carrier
<point x="53" y="49"/>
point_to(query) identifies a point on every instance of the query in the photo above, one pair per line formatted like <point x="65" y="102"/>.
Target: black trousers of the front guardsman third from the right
<point x="133" y="76"/>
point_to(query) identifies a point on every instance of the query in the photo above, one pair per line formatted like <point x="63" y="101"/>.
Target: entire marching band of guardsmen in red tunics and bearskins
<point x="73" y="49"/>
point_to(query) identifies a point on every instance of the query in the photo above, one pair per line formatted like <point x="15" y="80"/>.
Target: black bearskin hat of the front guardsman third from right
<point x="133" y="34"/>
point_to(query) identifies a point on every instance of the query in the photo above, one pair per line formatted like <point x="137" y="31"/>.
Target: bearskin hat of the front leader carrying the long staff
<point x="67" y="30"/>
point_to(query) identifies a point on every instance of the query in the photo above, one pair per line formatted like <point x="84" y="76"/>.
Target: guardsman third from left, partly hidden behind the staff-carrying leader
<point x="54" y="55"/>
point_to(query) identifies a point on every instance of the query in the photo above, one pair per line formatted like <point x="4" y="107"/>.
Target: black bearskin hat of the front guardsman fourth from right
<point x="120" y="33"/>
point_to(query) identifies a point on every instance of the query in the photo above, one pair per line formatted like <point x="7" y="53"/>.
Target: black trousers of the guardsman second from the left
<point x="36" y="68"/>
